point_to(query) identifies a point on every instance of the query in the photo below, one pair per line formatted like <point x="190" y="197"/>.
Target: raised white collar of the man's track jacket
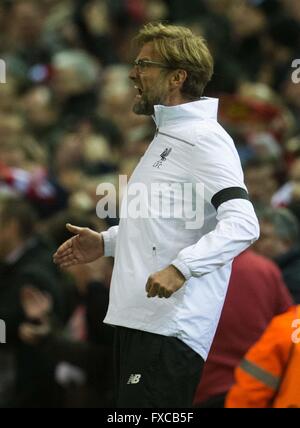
<point x="205" y="108"/>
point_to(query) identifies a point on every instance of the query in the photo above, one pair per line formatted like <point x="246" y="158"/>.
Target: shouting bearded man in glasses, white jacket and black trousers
<point x="170" y="280"/>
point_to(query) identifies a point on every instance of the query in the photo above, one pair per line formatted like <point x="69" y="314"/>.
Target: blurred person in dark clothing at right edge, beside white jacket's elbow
<point x="280" y="241"/>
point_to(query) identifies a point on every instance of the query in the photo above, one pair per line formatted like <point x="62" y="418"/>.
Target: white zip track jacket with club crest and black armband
<point x="189" y="147"/>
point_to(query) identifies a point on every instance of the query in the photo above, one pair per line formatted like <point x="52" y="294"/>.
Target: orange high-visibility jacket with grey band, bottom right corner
<point x="269" y="375"/>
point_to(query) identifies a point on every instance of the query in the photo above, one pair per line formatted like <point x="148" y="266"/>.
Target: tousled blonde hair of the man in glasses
<point x="180" y="48"/>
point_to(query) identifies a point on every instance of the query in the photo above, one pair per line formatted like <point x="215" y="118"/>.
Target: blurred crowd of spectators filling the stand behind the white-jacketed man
<point x="66" y="125"/>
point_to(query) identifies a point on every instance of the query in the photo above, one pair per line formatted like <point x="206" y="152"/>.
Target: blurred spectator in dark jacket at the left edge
<point x="25" y="259"/>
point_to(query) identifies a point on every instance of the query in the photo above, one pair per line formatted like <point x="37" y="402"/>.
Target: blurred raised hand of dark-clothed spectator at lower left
<point x="36" y="304"/>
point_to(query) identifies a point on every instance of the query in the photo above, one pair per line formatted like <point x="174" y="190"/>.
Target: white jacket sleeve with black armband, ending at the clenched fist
<point x="216" y="165"/>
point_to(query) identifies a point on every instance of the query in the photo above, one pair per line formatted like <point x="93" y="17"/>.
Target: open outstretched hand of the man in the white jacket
<point x="86" y="247"/>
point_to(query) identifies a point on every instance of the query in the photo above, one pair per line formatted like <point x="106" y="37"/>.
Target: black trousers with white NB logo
<point x="154" y="371"/>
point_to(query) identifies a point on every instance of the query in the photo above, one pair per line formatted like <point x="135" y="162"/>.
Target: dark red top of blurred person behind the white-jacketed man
<point x="256" y="294"/>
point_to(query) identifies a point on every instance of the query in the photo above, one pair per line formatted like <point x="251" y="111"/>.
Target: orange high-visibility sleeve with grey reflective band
<point x="258" y="377"/>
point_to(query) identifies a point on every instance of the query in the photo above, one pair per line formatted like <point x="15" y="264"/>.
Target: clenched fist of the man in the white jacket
<point x="165" y="282"/>
